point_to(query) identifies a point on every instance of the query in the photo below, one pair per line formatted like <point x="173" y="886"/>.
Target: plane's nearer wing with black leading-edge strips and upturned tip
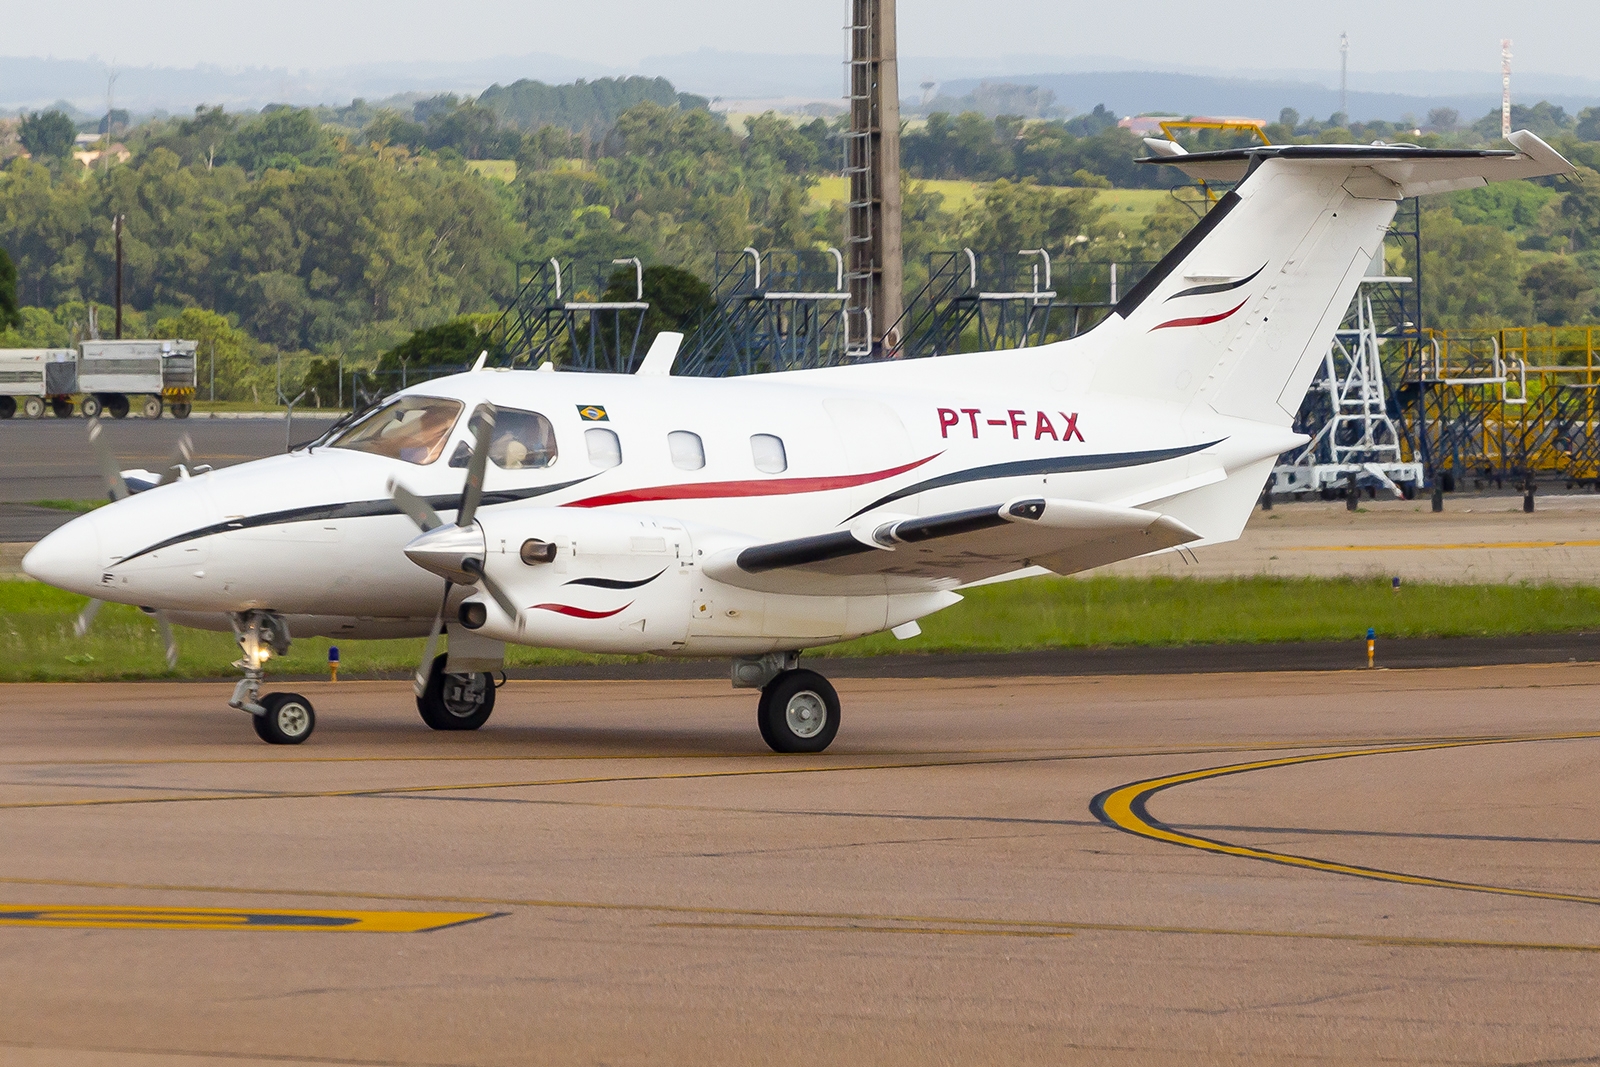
<point x="950" y="551"/>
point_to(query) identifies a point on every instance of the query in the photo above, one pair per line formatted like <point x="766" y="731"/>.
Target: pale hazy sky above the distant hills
<point x="1551" y="38"/>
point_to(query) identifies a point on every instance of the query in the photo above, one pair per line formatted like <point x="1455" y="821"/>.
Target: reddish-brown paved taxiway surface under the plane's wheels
<point x="1394" y="868"/>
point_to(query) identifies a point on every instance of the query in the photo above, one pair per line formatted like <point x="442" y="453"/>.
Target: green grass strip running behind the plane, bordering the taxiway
<point x="38" y="642"/>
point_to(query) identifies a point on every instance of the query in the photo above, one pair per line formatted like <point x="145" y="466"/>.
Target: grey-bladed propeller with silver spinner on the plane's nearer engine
<point x="454" y="551"/>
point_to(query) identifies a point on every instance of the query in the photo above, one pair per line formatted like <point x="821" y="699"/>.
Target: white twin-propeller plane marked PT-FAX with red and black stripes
<point x="756" y="518"/>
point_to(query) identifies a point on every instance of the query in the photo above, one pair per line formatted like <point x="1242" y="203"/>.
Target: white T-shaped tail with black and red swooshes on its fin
<point x="1241" y="313"/>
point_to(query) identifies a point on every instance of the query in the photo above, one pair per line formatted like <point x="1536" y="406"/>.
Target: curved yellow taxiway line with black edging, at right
<point x="1126" y="809"/>
